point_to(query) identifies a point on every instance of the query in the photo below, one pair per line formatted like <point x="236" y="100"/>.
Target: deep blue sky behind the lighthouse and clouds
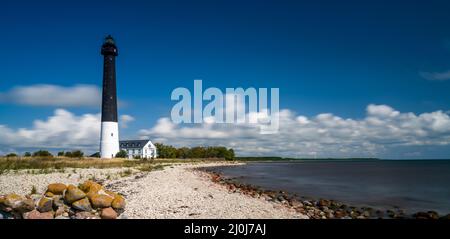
<point x="333" y="57"/>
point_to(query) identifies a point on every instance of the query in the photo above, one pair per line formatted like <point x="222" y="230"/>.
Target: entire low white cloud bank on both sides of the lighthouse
<point x="381" y="133"/>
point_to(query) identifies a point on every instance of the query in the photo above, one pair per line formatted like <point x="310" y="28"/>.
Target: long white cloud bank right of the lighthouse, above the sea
<point x="380" y="133"/>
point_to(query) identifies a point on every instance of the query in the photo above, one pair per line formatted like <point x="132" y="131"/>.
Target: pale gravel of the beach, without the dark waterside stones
<point x="177" y="191"/>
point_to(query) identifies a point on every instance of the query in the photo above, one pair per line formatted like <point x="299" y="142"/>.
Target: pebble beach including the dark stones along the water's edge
<point x="192" y="190"/>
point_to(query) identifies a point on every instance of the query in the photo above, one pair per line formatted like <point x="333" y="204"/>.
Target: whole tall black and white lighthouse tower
<point x="109" y="136"/>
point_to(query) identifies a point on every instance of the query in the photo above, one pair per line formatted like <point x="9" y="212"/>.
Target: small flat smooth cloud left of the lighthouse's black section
<point x="53" y="95"/>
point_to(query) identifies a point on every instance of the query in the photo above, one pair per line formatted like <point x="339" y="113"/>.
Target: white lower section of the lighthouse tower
<point x="109" y="140"/>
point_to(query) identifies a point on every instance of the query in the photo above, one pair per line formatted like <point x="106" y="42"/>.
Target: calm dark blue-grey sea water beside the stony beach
<point x="411" y="185"/>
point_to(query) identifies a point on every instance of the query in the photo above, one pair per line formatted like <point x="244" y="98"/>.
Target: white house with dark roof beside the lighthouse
<point x="139" y="148"/>
